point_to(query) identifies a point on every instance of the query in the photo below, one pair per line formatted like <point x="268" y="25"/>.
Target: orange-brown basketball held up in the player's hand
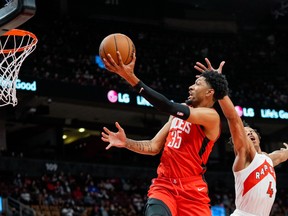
<point x="117" y="42"/>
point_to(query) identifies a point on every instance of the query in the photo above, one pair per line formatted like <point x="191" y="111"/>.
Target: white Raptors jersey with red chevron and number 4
<point x="255" y="186"/>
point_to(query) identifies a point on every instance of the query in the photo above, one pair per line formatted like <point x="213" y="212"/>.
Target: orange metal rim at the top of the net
<point x="20" y="33"/>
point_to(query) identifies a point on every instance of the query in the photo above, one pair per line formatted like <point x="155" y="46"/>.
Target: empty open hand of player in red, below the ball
<point x="116" y="139"/>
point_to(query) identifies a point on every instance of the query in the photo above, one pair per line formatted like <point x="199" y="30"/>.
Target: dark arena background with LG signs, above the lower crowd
<point x="170" y="36"/>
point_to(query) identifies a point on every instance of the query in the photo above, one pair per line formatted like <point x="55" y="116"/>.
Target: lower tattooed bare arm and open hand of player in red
<point x="147" y="147"/>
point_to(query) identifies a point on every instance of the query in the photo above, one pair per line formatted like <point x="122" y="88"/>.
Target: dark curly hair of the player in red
<point x="218" y="82"/>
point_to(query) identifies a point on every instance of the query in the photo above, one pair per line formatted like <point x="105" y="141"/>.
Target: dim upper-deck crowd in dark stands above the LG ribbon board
<point x="255" y="60"/>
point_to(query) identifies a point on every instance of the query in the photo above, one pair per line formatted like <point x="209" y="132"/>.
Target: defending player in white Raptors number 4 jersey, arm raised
<point x="255" y="179"/>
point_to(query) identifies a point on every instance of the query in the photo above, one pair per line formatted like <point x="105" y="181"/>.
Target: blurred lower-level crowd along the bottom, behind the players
<point x="85" y="194"/>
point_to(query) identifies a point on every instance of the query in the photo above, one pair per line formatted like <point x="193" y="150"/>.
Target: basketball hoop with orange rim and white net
<point x="15" y="46"/>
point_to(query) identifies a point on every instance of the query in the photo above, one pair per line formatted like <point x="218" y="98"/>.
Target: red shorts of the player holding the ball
<point x="183" y="196"/>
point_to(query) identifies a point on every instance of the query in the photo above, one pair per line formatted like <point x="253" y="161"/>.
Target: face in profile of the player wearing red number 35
<point x="197" y="92"/>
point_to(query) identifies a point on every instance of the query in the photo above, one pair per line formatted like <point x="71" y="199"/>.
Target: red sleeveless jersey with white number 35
<point x="186" y="150"/>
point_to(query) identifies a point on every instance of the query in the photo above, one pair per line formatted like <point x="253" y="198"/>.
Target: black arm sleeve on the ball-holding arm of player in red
<point x="161" y="103"/>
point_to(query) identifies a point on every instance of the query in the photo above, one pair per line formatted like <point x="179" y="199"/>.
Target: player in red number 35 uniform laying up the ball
<point x="185" y="141"/>
